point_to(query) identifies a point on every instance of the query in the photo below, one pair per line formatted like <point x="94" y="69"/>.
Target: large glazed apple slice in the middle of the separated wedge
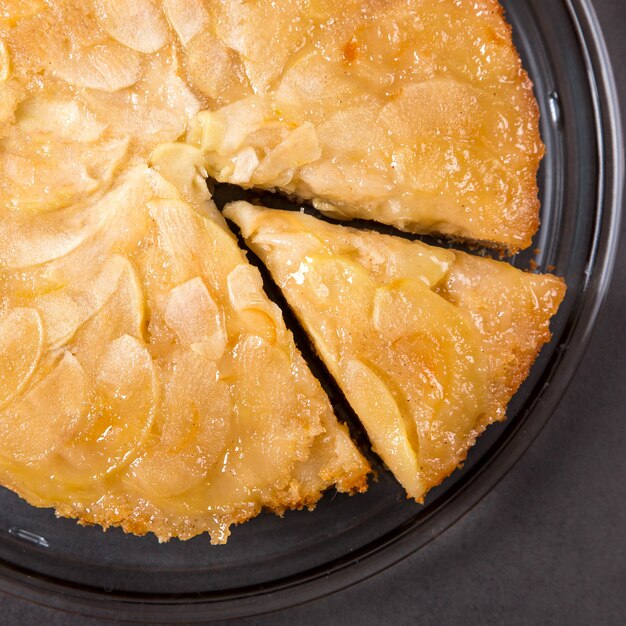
<point x="448" y="389"/>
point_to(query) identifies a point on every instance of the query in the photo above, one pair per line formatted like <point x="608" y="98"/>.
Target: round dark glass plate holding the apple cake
<point x="271" y="563"/>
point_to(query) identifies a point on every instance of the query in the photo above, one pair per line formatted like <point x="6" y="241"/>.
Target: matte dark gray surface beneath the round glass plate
<point x="548" y="545"/>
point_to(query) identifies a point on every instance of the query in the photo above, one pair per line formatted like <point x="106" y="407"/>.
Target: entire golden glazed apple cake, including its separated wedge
<point x="146" y="380"/>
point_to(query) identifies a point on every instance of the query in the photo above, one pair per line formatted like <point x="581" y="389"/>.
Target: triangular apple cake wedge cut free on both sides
<point x="427" y="344"/>
